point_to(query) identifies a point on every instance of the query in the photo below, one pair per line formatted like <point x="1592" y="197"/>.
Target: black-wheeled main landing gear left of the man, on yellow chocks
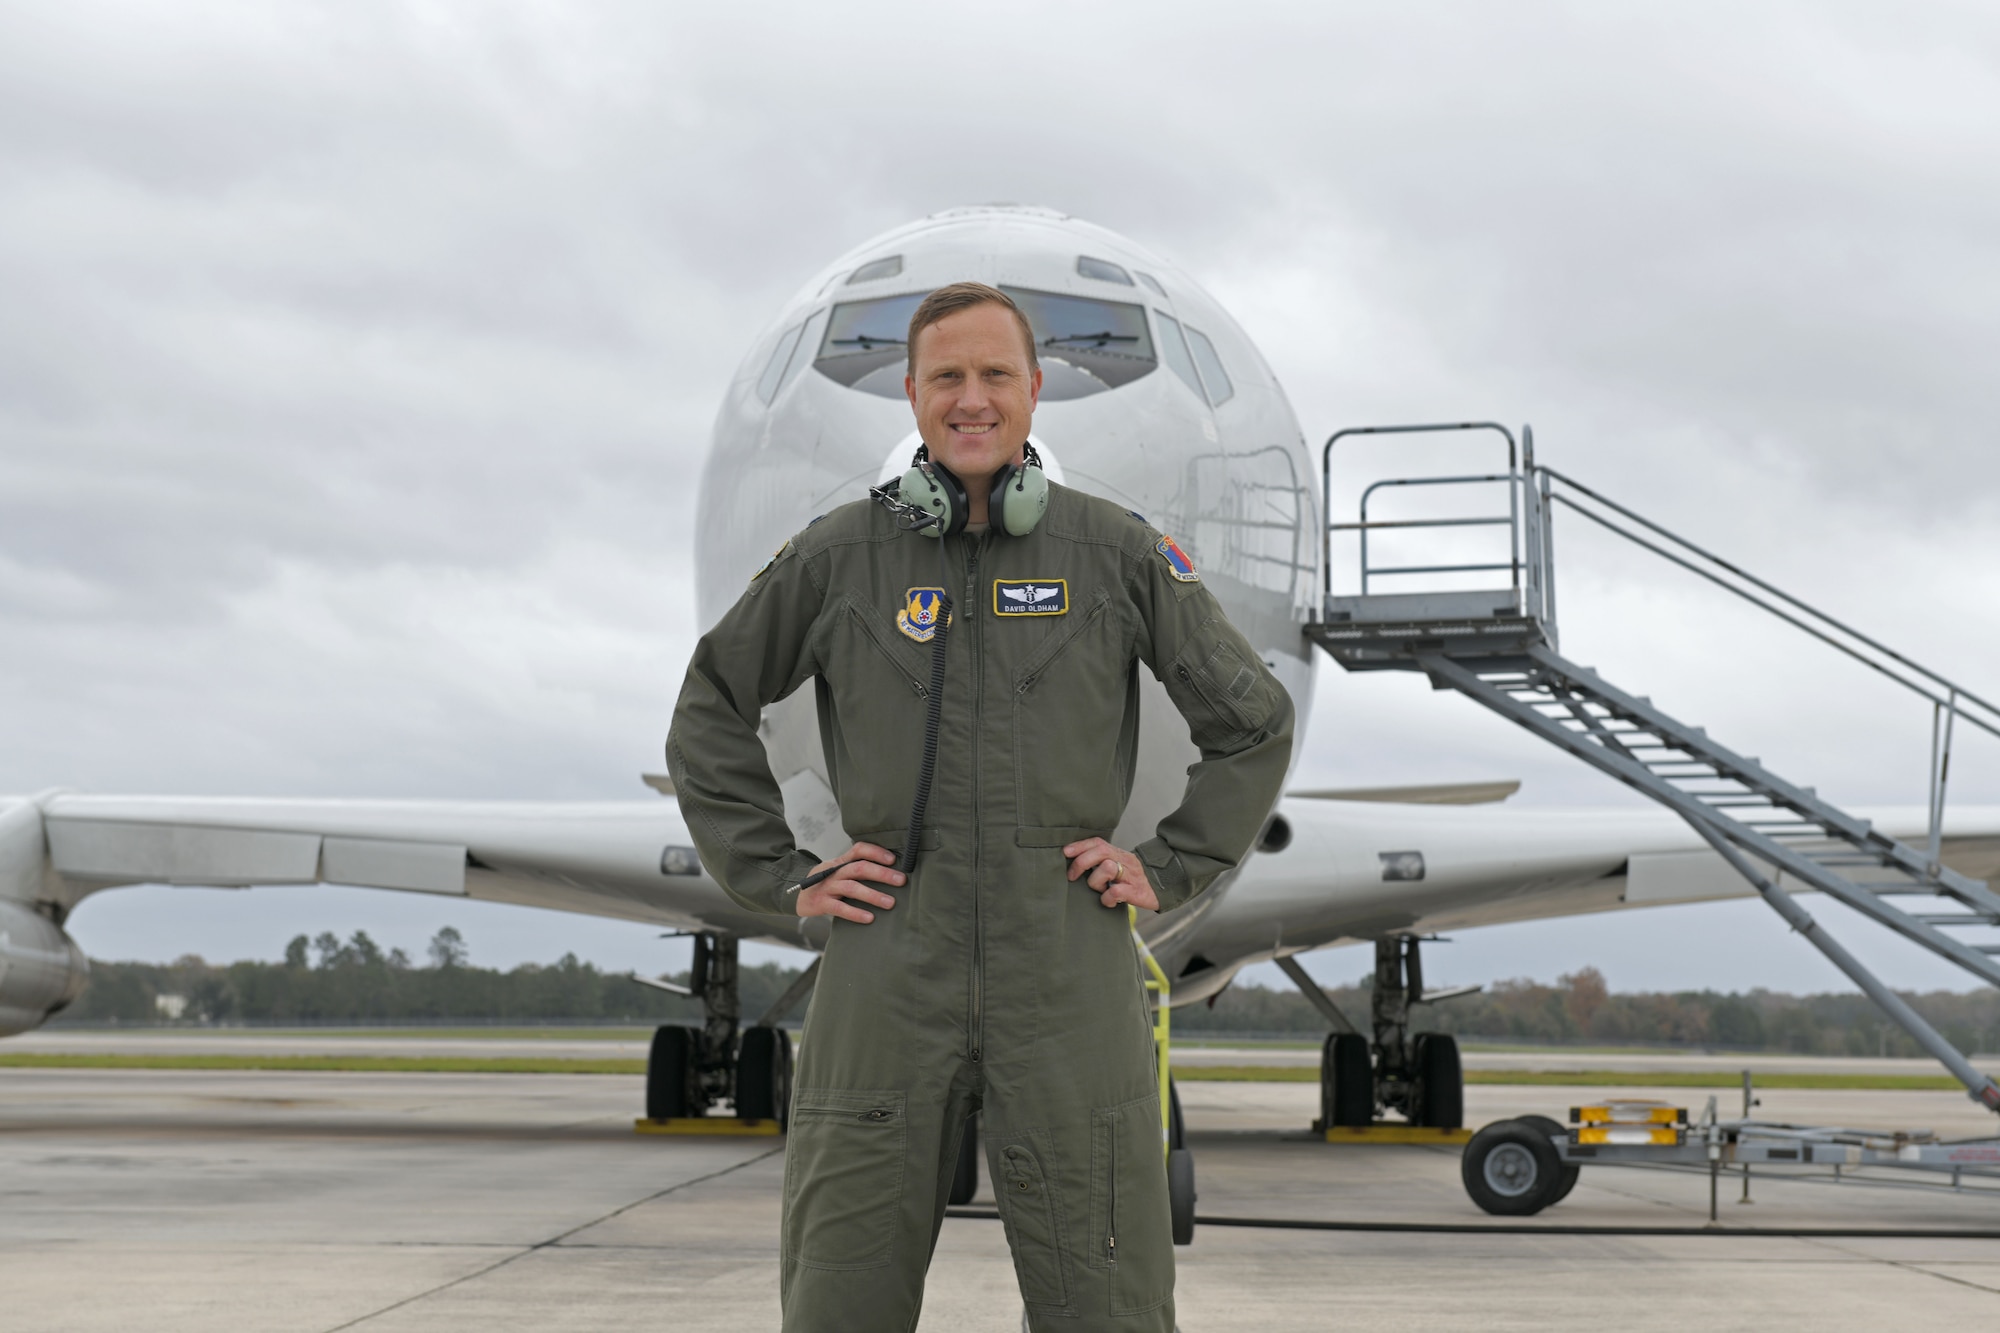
<point x="689" y="1072"/>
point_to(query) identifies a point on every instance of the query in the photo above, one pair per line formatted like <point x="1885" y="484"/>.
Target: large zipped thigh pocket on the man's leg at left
<point x="843" y="1178"/>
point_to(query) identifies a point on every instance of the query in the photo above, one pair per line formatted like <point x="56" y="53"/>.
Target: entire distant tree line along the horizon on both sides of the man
<point x="327" y="980"/>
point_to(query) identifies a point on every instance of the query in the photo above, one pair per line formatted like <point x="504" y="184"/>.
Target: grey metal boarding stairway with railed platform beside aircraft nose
<point x="1499" y="647"/>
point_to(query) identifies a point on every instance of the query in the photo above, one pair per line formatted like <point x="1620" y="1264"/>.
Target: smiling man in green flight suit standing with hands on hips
<point x="985" y="980"/>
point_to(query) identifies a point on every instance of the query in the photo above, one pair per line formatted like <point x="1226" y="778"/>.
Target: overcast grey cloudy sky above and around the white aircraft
<point x="357" y="363"/>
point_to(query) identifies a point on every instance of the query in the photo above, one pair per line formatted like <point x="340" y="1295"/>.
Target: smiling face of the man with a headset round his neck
<point x="975" y="393"/>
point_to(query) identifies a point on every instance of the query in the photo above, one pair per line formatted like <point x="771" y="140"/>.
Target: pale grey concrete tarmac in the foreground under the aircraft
<point x="319" y="1202"/>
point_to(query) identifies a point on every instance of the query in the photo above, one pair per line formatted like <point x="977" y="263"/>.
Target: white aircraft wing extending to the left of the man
<point x="629" y="860"/>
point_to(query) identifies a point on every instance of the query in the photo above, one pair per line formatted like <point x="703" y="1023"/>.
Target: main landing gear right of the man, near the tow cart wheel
<point x="1393" y="1070"/>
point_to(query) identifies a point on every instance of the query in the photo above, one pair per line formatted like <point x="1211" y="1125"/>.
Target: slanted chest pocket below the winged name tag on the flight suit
<point x="1077" y="724"/>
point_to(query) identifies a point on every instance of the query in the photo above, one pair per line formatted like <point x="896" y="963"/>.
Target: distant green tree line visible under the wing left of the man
<point x="331" y="980"/>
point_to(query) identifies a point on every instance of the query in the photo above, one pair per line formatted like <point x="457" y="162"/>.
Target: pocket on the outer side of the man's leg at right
<point x="1131" y="1220"/>
